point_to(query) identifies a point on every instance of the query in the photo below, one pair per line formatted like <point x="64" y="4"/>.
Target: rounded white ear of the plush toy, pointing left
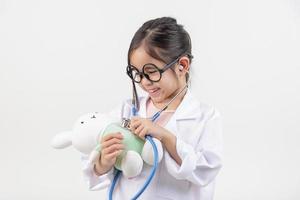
<point x="62" y="140"/>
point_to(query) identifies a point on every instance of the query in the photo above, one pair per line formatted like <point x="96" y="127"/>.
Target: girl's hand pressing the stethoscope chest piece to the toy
<point x="143" y="126"/>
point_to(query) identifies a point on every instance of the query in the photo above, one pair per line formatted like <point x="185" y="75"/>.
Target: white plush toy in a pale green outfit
<point x="90" y="128"/>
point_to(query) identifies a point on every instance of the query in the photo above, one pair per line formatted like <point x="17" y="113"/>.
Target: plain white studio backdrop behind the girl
<point x="62" y="58"/>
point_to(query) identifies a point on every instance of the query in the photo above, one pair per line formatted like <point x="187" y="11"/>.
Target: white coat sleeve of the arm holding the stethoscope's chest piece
<point x="200" y="164"/>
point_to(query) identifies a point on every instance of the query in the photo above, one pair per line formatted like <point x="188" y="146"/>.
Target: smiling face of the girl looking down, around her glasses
<point x="169" y="84"/>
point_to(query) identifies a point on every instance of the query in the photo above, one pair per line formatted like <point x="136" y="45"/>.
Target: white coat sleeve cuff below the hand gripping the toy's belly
<point x="95" y="182"/>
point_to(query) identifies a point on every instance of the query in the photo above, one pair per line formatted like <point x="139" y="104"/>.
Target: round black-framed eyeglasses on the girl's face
<point x="150" y="71"/>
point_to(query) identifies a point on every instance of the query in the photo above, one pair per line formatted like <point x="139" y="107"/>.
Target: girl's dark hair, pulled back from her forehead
<point x="163" y="39"/>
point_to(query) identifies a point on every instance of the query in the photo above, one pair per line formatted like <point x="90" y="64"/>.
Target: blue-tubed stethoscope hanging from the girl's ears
<point x="149" y="138"/>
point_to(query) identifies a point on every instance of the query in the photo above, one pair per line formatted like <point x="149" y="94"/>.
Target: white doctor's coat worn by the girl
<point x="197" y="127"/>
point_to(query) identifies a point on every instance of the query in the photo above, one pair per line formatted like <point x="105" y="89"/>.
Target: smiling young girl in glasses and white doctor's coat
<point x="159" y="59"/>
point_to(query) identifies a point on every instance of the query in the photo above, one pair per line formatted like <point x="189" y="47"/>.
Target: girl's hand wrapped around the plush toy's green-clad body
<point x="111" y="148"/>
